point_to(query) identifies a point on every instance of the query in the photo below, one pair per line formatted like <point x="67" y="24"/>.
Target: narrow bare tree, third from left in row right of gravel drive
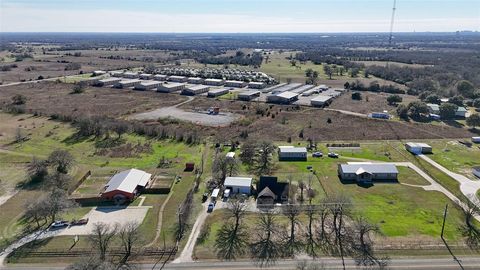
<point x="292" y="213"/>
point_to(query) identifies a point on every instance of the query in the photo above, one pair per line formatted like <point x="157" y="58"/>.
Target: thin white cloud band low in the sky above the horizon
<point x="17" y="18"/>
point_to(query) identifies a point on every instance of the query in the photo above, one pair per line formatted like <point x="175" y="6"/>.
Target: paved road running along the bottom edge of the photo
<point x="329" y="263"/>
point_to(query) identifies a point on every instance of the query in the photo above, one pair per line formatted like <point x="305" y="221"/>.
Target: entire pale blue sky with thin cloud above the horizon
<point x="238" y="16"/>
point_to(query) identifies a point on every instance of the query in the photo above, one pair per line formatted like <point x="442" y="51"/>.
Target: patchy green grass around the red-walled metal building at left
<point x="45" y="136"/>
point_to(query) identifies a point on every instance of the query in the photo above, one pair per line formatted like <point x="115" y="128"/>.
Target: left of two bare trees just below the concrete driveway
<point x="101" y="237"/>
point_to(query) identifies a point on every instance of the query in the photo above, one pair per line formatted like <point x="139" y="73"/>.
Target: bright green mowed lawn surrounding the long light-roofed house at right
<point x="406" y="214"/>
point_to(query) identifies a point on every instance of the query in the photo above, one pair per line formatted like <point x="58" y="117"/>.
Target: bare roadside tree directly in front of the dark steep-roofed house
<point x="265" y="250"/>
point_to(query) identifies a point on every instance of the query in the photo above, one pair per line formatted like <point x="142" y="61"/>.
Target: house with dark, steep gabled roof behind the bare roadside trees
<point x="270" y="191"/>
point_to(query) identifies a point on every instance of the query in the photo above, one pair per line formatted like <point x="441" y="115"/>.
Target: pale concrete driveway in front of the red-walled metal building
<point x="108" y="215"/>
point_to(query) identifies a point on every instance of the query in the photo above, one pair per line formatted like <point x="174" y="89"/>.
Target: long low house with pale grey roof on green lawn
<point x="366" y="173"/>
